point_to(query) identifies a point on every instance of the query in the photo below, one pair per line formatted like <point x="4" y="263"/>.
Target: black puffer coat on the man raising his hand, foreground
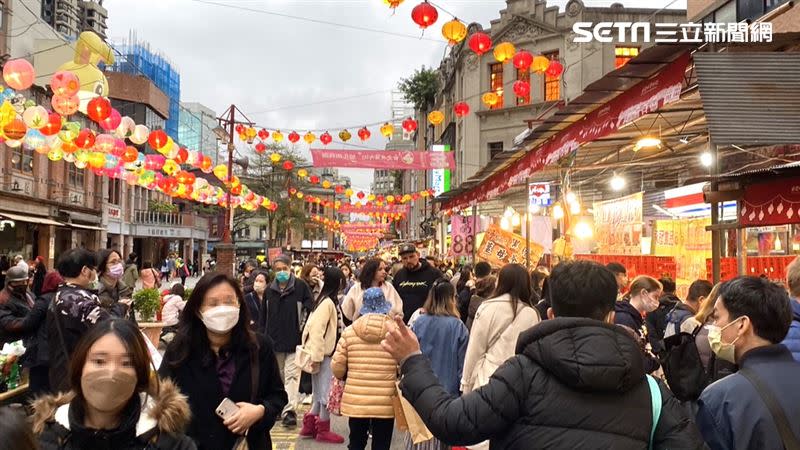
<point x="574" y="384"/>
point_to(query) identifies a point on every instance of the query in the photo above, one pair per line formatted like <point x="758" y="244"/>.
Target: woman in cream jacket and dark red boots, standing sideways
<point x="322" y="330"/>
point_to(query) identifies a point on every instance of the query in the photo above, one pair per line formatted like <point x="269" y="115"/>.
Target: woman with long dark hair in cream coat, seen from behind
<point x="498" y="323"/>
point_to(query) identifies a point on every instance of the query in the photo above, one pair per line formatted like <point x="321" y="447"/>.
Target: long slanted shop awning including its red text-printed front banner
<point x="643" y="86"/>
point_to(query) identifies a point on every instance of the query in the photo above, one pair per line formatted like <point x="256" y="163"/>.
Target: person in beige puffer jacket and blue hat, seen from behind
<point x="370" y="373"/>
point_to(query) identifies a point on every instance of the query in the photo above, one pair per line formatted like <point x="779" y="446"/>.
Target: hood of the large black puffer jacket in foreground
<point x="586" y="355"/>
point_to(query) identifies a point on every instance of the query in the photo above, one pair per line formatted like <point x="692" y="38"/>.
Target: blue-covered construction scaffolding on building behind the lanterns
<point x="135" y="57"/>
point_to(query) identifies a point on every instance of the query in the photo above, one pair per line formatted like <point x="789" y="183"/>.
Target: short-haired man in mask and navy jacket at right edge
<point x="741" y="411"/>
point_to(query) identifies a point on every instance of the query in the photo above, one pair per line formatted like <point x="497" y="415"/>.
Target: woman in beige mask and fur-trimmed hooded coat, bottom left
<point x="113" y="403"/>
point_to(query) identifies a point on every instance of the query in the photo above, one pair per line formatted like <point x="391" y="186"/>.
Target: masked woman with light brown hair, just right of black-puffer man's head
<point x="630" y="312"/>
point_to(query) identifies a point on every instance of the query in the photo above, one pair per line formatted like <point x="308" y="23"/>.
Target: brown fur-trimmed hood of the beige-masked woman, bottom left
<point x="168" y="411"/>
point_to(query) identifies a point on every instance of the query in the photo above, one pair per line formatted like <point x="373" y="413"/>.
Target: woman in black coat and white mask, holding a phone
<point x="215" y="355"/>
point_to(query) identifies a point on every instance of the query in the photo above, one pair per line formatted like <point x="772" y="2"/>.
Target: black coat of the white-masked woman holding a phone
<point x="197" y="379"/>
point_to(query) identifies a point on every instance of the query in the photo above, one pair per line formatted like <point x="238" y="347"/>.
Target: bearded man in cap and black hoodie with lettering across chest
<point x="414" y="280"/>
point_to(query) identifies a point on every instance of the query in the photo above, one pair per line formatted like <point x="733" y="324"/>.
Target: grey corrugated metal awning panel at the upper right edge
<point x="750" y="98"/>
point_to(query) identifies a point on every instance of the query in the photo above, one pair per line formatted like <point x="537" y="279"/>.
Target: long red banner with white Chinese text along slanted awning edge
<point x="644" y="98"/>
